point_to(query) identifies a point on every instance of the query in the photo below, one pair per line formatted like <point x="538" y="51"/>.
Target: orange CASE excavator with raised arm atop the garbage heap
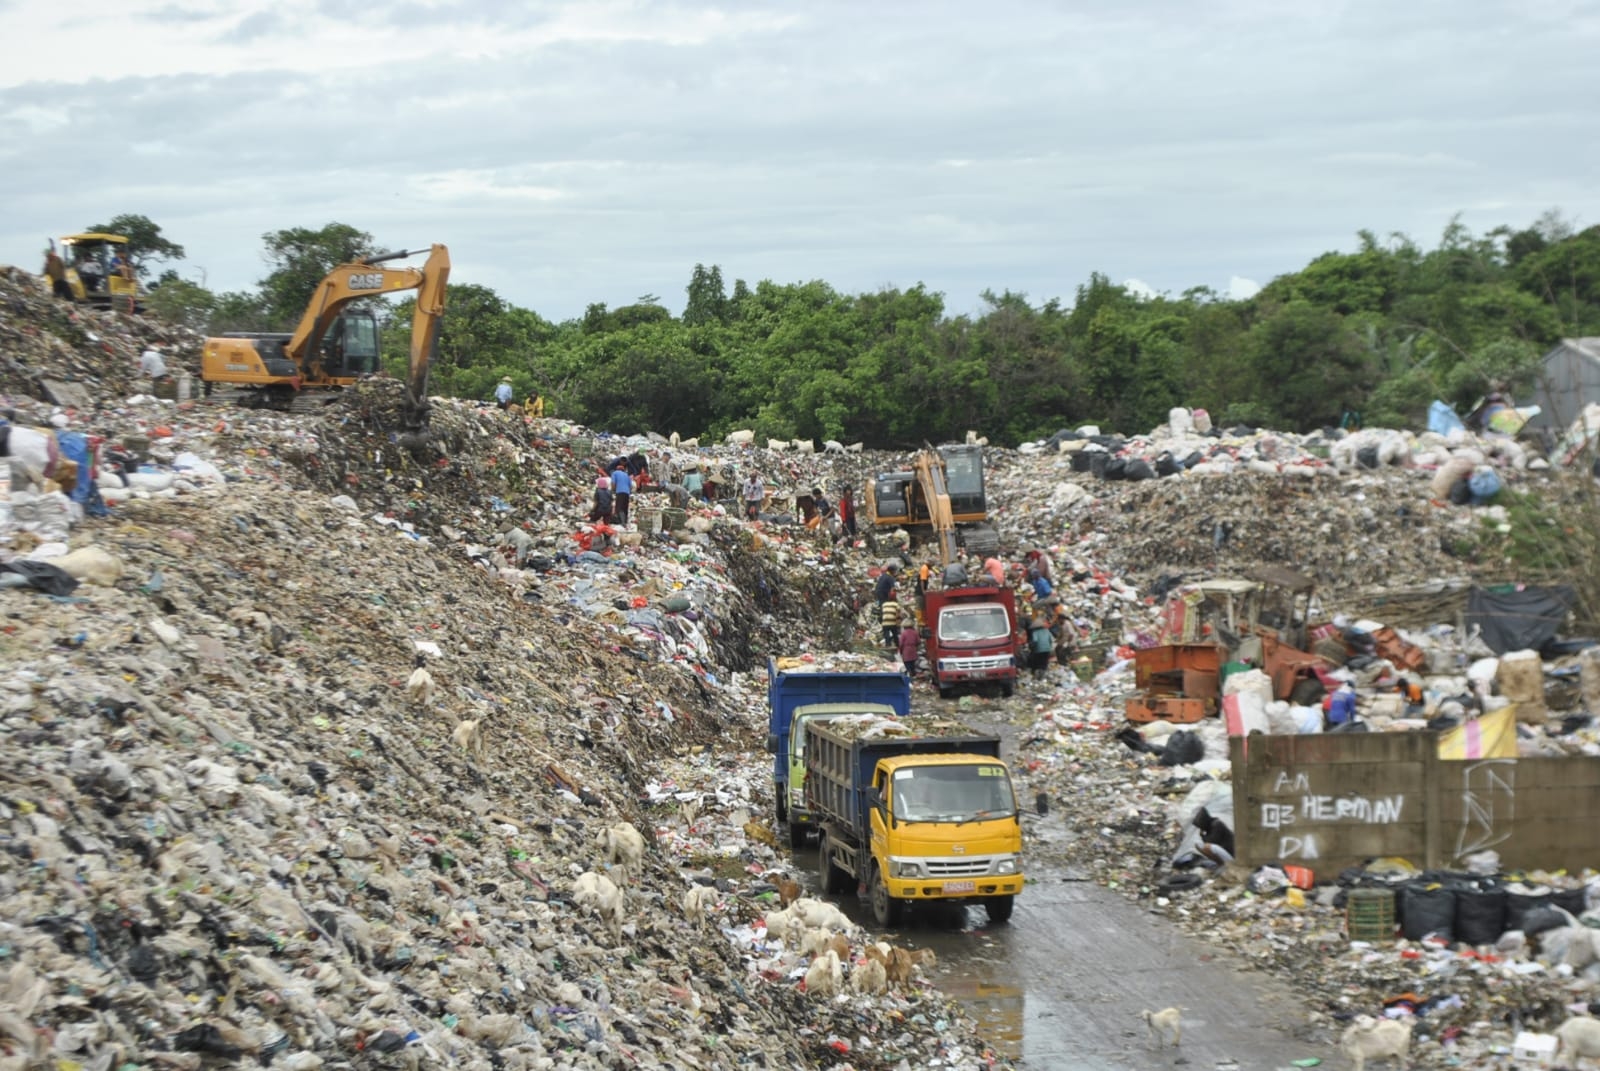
<point x="334" y="347"/>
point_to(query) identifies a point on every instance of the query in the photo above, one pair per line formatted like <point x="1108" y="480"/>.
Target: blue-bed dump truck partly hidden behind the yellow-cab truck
<point x="801" y="692"/>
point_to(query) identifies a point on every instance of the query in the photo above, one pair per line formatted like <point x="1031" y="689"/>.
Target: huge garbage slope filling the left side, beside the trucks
<point x="330" y="753"/>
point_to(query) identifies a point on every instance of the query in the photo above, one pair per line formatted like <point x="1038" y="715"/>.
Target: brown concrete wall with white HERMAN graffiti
<point x="1335" y="801"/>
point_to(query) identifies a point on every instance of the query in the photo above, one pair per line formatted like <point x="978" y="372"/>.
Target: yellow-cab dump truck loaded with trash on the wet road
<point x="916" y="809"/>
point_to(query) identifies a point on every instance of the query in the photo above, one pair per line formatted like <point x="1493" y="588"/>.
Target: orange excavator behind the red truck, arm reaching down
<point x="940" y="500"/>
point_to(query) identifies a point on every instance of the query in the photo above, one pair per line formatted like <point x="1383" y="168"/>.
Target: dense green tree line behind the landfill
<point x="1380" y="332"/>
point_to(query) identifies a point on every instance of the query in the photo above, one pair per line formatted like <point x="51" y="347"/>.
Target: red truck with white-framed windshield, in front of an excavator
<point x="974" y="638"/>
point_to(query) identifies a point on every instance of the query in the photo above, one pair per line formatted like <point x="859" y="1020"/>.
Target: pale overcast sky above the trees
<point x="598" y="151"/>
